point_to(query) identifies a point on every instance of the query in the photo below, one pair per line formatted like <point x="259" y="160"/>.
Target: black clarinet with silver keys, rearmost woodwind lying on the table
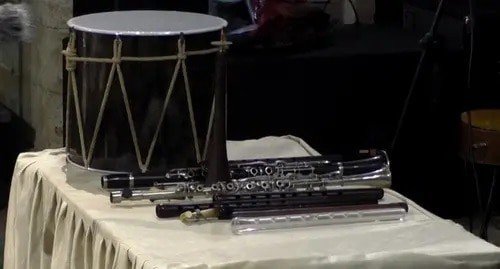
<point x="245" y="169"/>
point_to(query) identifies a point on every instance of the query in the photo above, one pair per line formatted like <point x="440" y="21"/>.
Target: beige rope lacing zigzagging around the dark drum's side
<point x="72" y="58"/>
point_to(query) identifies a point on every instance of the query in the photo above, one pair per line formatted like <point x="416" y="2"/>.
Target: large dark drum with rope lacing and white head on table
<point x="140" y="89"/>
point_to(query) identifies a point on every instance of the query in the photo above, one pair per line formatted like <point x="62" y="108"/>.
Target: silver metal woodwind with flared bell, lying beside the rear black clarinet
<point x="271" y="177"/>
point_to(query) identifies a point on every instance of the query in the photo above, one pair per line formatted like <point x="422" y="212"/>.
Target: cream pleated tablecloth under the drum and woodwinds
<point x="58" y="217"/>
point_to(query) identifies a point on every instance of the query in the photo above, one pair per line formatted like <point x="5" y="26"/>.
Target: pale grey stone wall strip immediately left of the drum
<point x="42" y="65"/>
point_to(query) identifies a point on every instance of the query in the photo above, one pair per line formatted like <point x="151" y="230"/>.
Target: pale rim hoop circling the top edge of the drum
<point x="71" y="23"/>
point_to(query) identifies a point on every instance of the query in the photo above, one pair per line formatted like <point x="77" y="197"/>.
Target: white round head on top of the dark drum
<point x="147" y="23"/>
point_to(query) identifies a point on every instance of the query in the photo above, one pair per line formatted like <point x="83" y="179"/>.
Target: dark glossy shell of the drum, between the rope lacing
<point x="146" y="84"/>
